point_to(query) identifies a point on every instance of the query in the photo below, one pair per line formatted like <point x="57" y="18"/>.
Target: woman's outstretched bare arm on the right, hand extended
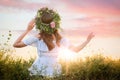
<point x="80" y="47"/>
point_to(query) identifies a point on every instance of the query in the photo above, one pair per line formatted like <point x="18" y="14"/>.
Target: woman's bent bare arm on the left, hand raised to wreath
<point x="18" y="43"/>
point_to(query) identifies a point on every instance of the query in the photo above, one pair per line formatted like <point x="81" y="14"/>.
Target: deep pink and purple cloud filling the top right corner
<point x="94" y="7"/>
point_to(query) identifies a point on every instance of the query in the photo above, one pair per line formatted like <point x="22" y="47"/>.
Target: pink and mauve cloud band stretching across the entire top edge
<point x="87" y="6"/>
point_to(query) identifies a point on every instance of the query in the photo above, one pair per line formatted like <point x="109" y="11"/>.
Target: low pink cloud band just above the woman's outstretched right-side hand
<point x="98" y="31"/>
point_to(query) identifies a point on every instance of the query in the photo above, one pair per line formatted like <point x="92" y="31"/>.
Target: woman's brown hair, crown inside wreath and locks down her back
<point x="47" y="18"/>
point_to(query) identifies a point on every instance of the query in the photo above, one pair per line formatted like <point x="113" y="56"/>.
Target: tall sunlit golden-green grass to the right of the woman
<point x="94" y="68"/>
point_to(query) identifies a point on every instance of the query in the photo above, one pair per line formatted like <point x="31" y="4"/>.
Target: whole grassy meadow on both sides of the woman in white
<point x="96" y="67"/>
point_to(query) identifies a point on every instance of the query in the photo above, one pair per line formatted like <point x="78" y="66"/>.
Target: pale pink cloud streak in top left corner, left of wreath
<point x="20" y="4"/>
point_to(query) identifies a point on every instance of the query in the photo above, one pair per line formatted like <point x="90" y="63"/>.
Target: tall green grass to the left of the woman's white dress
<point x="11" y="69"/>
